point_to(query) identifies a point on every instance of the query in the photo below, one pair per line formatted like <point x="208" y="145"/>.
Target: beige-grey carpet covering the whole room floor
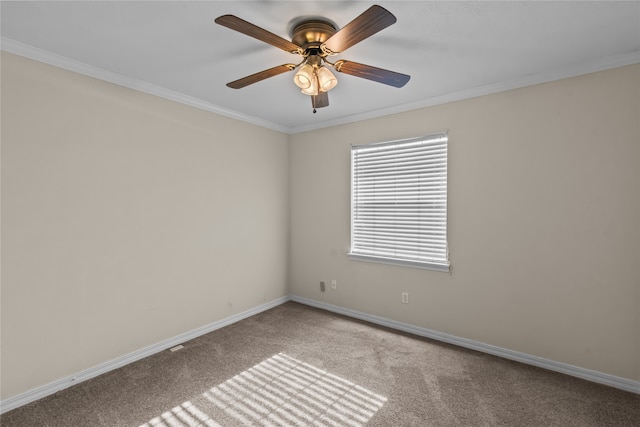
<point x="296" y="365"/>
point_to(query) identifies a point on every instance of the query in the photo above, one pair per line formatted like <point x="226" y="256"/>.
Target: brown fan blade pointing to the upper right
<point x="371" y="21"/>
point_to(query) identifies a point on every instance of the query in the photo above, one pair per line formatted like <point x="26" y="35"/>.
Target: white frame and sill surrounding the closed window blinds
<point x="439" y="264"/>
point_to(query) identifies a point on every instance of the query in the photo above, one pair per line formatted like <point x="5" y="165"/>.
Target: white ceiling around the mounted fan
<point x="452" y="50"/>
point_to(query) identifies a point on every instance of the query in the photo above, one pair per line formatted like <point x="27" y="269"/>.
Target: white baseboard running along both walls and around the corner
<point x="575" y="371"/>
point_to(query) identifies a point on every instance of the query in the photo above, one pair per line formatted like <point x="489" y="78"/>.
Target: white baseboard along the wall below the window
<point x="564" y="368"/>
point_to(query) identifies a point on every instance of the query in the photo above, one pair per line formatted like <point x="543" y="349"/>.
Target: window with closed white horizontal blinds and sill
<point x="399" y="202"/>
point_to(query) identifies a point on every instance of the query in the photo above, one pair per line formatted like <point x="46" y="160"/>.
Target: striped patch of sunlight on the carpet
<point x="280" y="391"/>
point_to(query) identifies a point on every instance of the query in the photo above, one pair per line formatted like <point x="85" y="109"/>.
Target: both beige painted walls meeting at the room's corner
<point x="128" y="219"/>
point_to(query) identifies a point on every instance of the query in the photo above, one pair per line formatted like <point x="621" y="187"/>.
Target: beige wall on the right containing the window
<point x="544" y="222"/>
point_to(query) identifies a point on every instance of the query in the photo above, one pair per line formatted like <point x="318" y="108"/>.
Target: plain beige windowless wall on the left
<point x="127" y="220"/>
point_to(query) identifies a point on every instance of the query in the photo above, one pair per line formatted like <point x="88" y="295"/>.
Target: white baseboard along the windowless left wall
<point x="48" y="389"/>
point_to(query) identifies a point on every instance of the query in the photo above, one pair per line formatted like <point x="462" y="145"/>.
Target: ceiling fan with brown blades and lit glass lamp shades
<point x="315" y="40"/>
